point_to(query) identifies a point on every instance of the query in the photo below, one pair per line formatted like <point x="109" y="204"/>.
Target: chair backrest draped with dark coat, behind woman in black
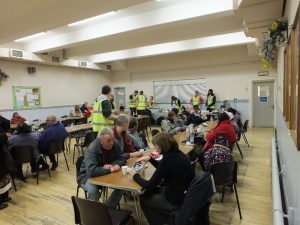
<point x="197" y="196"/>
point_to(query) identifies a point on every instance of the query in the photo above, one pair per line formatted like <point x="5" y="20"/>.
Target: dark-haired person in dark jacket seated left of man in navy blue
<point x="23" y="137"/>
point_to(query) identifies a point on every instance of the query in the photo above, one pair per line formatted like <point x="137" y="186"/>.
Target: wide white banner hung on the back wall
<point x="182" y="89"/>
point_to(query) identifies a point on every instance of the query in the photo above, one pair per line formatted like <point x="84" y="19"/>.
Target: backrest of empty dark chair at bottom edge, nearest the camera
<point x="91" y="212"/>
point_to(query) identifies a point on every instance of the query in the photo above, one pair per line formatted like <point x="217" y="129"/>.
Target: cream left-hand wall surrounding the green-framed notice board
<point x="59" y="85"/>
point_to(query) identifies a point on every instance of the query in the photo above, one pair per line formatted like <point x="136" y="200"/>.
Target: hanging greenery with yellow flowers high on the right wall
<point x="272" y="39"/>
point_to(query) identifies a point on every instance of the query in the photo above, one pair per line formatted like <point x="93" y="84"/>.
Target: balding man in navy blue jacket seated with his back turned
<point x="55" y="131"/>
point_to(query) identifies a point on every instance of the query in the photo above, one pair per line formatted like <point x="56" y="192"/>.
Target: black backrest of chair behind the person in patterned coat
<point x="224" y="173"/>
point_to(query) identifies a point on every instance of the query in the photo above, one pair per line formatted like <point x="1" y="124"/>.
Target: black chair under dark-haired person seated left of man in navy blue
<point x="24" y="154"/>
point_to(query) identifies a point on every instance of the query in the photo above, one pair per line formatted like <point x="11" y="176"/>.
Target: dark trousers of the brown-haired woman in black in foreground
<point x="156" y="207"/>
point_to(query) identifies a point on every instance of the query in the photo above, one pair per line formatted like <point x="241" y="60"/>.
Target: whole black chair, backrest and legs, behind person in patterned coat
<point x="225" y="173"/>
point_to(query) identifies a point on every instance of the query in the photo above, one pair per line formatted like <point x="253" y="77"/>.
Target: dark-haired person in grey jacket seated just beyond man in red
<point x="139" y="141"/>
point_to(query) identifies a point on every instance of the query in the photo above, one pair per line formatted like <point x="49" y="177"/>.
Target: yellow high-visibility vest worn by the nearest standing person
<point x="99" y="120"/>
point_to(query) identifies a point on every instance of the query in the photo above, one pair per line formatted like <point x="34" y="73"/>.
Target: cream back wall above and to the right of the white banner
<point x="228" y="71"/>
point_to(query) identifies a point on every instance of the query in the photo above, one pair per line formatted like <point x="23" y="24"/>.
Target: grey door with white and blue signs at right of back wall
<point x="263" y="104"/>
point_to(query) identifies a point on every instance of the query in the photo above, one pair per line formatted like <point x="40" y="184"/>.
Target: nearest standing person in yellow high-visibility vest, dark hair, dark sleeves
<point x="103" y="113"/>
